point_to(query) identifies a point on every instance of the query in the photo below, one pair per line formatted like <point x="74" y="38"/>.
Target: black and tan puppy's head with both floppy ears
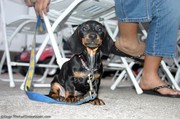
<point x="92" y="35"/>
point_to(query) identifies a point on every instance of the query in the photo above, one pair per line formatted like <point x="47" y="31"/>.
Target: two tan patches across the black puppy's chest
<point x="78" y="74"/>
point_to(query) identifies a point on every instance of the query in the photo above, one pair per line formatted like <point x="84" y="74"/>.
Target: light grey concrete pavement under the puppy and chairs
<point x="122" y="103"/>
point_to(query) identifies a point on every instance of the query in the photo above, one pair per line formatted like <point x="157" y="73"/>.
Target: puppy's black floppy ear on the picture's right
<point x="106" y="44"/>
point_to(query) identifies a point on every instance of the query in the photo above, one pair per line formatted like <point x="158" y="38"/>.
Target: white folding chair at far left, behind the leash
<point x="23" y="24"/>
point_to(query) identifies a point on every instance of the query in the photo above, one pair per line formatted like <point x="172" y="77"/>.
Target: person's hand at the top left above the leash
<point x="39" y="6"/>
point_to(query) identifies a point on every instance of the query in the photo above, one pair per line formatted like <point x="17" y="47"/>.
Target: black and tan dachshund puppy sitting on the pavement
<point x="89" y="42"/>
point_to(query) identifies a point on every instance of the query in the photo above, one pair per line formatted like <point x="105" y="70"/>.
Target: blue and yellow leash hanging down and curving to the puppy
<point x="30" y="75"/>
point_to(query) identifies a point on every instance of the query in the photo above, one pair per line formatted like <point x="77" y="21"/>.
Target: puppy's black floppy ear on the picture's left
<point x="75" y="42"/>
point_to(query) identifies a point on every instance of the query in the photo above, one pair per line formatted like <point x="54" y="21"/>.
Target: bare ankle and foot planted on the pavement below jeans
<point x="150" y="78"/>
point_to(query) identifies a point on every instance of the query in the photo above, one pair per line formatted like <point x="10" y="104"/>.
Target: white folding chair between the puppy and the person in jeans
<point x="124" y="66"/>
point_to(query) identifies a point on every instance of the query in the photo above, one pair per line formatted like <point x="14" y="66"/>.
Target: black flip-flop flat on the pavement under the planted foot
<point x="156" y="93"/>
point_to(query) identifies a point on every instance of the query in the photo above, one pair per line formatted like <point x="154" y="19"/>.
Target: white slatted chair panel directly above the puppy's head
<point x="88" y="9"/>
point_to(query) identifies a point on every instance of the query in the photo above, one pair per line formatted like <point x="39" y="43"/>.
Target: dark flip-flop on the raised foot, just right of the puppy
<point x="118" y="52"/>
